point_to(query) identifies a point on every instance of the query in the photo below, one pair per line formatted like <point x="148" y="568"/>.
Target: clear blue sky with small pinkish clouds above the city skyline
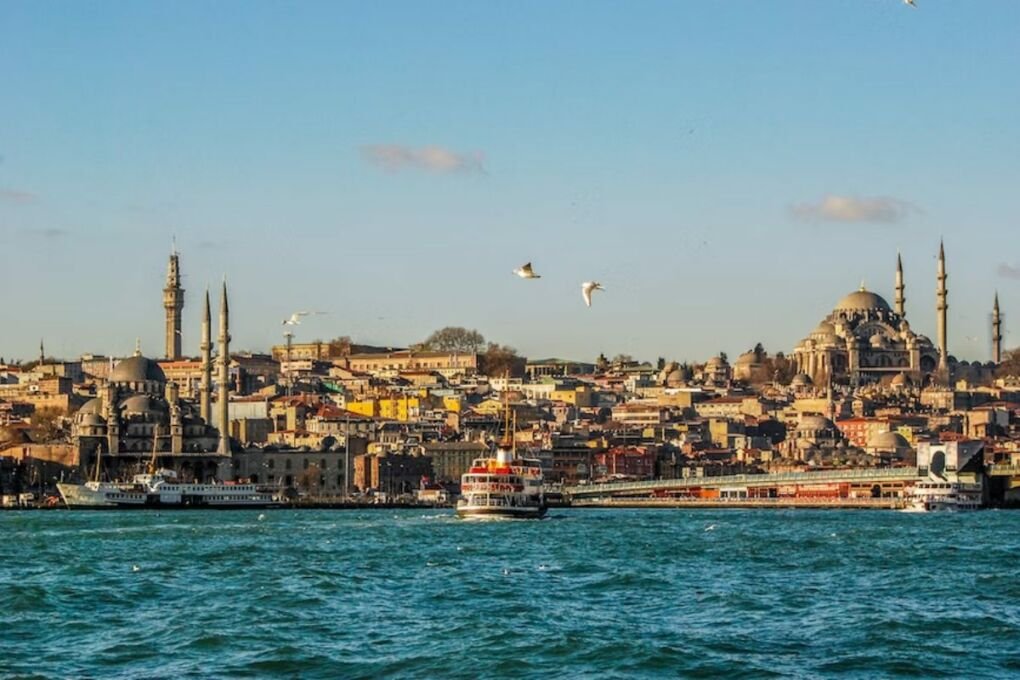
<point x="728" y="171"/>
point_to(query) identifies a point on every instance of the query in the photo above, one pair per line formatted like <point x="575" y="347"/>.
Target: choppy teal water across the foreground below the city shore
<point x="584" y="594"/>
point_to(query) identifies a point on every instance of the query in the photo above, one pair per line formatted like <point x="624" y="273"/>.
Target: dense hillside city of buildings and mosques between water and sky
<point x="332" y="420"/>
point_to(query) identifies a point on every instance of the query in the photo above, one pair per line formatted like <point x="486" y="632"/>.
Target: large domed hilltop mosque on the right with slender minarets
<point x="864" y="341"/>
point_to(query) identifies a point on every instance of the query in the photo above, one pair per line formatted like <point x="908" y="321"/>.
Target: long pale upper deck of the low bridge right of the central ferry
<point x="645" y="489"/>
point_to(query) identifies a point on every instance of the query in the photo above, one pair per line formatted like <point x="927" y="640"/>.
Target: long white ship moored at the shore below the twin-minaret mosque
<point x="163" y="490"/>
